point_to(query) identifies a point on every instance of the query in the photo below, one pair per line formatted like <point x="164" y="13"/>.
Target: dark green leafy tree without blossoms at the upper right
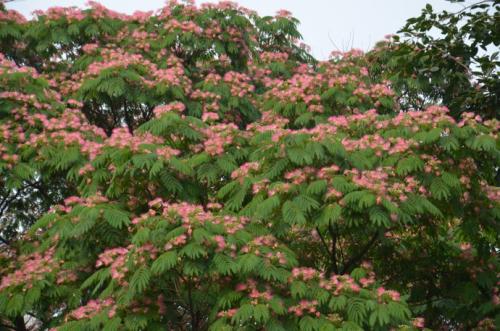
<point x="449" y="58"/>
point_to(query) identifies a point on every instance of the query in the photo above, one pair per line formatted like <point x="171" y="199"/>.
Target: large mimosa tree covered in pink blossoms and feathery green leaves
<point x="196" y="169"/>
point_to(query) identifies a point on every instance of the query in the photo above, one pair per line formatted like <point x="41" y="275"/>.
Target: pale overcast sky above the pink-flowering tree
<point x="326" y="25"/>
